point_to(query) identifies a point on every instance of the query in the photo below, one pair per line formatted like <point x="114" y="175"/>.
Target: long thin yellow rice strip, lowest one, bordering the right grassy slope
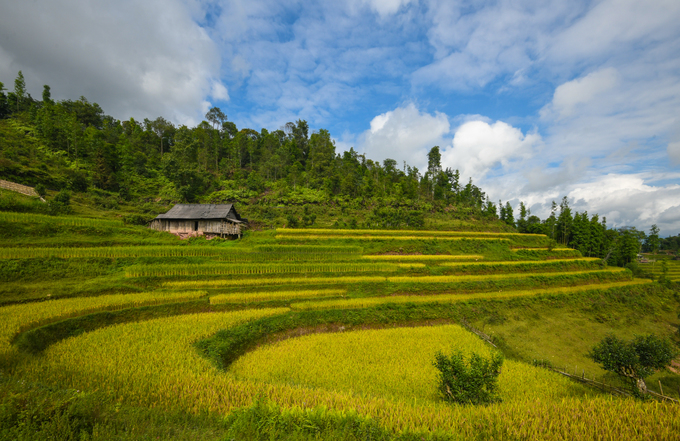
<point x="366" y="302"/>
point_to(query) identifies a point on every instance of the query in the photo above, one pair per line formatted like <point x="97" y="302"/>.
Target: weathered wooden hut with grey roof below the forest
<point x="192" y="220"/>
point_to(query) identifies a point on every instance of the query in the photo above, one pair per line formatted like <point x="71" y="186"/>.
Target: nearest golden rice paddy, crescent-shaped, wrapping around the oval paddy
<point x="153" y="364"/>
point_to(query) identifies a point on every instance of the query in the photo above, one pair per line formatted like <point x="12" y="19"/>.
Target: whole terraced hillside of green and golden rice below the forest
<point x="163" y="338"/>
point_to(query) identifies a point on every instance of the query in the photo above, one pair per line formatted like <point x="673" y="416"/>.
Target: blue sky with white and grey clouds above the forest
<point x="531" y="99"/>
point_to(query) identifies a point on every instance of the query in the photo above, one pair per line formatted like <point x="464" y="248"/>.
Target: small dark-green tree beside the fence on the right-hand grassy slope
<point x="634" y="360"/>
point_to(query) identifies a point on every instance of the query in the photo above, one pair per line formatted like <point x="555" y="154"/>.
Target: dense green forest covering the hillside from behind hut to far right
<point x="282" y="177"/>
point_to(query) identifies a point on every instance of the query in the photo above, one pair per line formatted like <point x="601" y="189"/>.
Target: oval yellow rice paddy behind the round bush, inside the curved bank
<point x="390" y="363"/>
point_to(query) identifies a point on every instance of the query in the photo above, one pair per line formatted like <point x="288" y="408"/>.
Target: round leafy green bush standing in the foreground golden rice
<point x="472" y="381"/>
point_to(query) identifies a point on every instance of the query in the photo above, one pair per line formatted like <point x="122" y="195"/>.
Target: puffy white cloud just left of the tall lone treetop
<point x="405" y="134"/>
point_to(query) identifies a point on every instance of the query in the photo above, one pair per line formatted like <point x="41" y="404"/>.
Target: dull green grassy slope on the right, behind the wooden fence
<point x="562" y="333"/>
